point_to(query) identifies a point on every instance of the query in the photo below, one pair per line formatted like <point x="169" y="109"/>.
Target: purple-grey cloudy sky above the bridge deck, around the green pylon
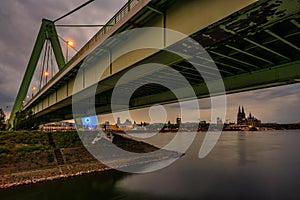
<point x="20" y="21"/>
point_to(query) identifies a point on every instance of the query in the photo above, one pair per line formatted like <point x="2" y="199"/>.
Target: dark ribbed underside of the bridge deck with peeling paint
<point x="255" y="48"/>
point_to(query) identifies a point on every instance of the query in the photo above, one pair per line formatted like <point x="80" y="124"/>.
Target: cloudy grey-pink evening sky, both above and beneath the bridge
<point x="20" y="21"/>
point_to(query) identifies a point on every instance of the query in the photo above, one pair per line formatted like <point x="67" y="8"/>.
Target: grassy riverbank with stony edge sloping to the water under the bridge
<point x="77" y="160"/>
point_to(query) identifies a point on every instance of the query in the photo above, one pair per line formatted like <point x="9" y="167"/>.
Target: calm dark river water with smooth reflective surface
<point x="243" y="165"/>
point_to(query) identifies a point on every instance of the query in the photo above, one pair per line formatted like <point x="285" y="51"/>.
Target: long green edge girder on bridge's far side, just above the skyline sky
<point x="280" y="75"/>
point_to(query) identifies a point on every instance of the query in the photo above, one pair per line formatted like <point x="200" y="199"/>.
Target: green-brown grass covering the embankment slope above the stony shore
<point x="31" y="150"/>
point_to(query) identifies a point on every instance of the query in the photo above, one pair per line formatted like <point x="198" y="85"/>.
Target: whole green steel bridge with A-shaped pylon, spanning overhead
<point x="255" y="44"/>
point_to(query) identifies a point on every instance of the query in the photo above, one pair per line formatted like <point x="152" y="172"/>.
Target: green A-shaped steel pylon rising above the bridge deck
<point x="47" y="31"/>
